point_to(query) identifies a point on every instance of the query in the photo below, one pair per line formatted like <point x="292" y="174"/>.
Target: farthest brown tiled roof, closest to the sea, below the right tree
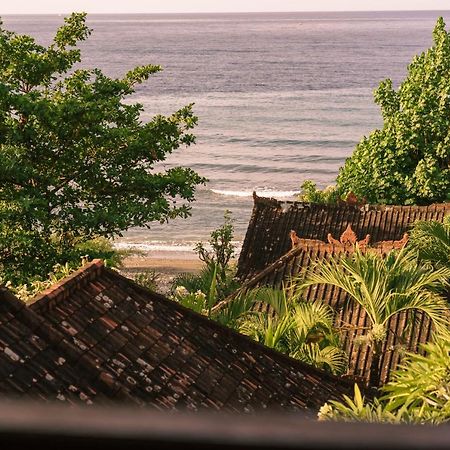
<point x="267" y="238"/>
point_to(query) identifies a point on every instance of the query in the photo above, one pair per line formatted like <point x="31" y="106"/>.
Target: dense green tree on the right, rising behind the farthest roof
<point x="408" y="160"/>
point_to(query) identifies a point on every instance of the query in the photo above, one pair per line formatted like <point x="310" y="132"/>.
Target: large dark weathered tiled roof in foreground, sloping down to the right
<point x="138" y="345"/>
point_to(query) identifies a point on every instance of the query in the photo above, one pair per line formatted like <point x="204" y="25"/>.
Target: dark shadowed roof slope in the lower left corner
<point x="36" y="361"/>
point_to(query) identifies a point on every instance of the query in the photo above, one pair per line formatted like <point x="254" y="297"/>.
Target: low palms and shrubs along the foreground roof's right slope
<point x="300" y="329"/>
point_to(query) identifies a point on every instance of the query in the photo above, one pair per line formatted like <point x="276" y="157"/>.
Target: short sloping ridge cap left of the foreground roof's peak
<point x="62" y="289"/>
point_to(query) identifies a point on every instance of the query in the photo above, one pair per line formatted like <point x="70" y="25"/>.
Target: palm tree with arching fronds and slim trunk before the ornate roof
<point x="384" y="287"/>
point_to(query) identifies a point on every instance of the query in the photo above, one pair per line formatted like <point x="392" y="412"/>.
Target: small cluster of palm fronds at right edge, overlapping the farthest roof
<point x="431" y="239"/>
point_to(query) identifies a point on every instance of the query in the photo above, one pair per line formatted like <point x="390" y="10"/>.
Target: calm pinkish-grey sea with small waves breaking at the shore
<point x="281" y="97"/>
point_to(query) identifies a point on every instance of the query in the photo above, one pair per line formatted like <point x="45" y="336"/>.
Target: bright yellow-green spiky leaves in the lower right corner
<point x="418" y="393"/>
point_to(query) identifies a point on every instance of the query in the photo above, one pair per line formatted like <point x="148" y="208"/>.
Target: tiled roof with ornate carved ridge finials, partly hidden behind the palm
<point x="350" y="318"/>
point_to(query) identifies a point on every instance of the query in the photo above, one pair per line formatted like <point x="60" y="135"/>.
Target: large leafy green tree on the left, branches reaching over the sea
<point x="76" y="160"/>
